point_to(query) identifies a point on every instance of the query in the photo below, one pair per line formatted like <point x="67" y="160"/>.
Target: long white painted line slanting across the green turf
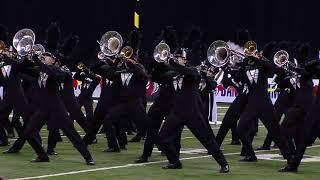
<point x="132" y="165"/>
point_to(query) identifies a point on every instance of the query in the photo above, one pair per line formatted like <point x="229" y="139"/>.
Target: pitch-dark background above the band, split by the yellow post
<point x="266" y="19"/>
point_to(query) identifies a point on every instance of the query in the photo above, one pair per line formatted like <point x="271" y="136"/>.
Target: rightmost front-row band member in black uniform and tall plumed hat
<point x="302" y="109"/>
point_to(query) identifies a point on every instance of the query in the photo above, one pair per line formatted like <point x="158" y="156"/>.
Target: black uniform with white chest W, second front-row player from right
<point x="254" y="72"/>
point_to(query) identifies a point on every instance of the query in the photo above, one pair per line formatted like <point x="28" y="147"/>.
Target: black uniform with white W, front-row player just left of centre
<point x="130" y="80"/>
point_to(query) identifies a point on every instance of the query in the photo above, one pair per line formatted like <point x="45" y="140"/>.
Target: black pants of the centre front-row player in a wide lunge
<point x="169" y="132"/>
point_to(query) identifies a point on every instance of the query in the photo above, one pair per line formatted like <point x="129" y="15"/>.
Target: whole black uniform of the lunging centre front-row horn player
<point x="187" y="110"/>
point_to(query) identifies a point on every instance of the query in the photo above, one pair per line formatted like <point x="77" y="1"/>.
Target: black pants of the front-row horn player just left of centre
<point x="133" y="109"/>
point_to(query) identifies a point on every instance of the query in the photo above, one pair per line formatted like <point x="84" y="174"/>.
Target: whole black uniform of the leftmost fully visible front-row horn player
<point x="51" y="110"/>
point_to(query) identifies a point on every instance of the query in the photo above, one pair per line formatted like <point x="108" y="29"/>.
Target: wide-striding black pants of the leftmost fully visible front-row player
<point x="37" y="121"/>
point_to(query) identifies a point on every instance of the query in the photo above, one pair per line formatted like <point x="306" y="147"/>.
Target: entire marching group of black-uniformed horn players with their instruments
<point x="38" y="87"/>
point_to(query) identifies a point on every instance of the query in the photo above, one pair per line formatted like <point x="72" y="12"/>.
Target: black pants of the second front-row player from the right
<point x="261" y="107"/>
